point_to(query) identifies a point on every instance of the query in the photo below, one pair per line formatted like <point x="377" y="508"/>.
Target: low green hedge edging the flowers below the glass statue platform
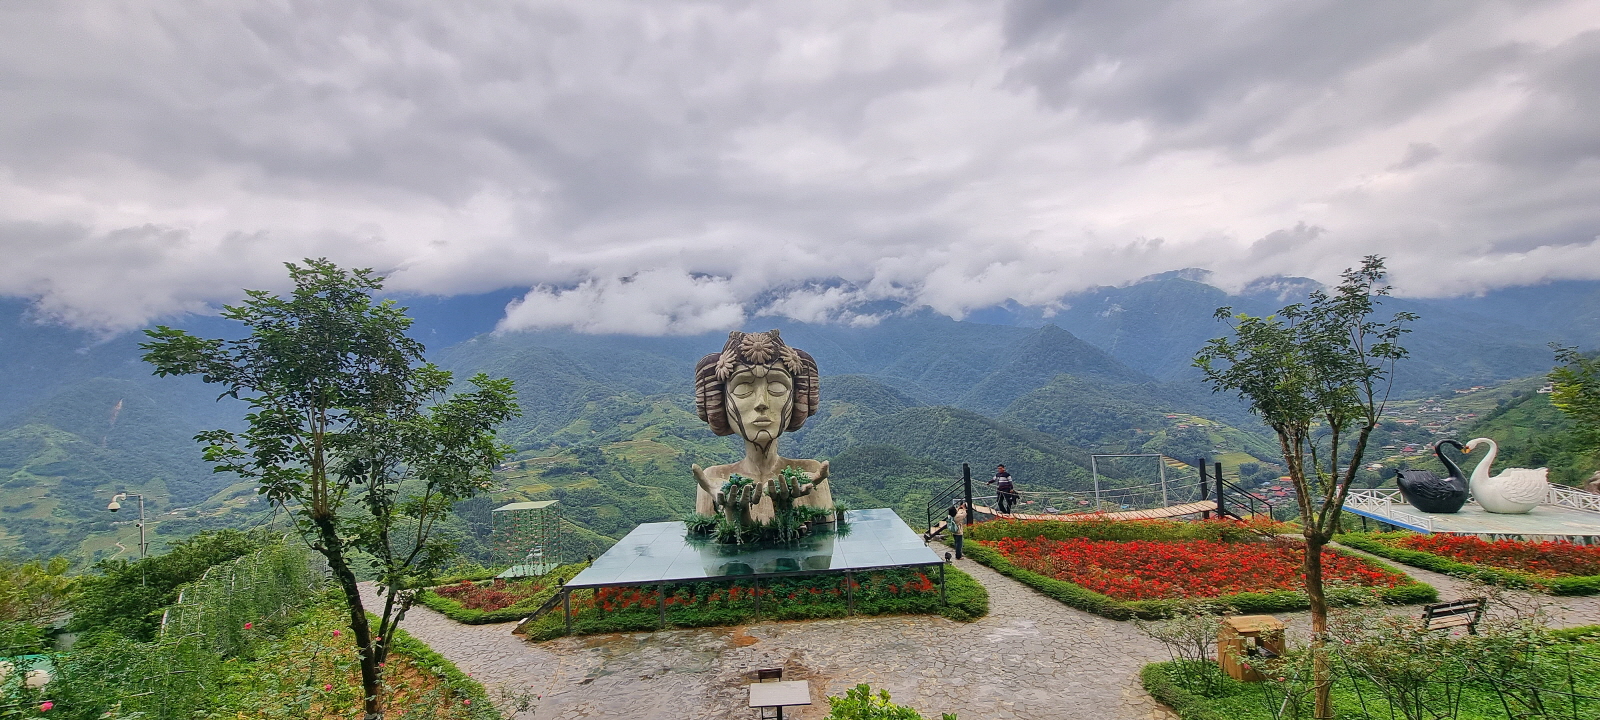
<point x="966" y="602"/>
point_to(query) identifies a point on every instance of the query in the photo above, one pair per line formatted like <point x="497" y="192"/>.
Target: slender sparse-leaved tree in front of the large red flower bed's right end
<point x="1319" y="374"/>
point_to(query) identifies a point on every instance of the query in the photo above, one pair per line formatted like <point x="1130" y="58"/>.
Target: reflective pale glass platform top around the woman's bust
<point x="663" y="553"/>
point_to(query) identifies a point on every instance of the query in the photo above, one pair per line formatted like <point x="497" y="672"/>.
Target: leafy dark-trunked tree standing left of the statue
<point x="351" y="433"/>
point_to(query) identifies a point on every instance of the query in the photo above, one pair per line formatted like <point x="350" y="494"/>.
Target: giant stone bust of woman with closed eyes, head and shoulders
<point x="758" y="388"/>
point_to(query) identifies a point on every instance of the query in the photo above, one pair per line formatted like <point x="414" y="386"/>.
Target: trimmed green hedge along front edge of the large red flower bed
<point x="1087" y="601"/>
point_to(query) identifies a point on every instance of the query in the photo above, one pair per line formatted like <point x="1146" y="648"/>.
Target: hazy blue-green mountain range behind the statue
<point x="609" y="425"/>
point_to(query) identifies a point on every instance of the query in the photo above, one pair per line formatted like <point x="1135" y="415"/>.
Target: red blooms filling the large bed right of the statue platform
<point x="1148" y="570"/>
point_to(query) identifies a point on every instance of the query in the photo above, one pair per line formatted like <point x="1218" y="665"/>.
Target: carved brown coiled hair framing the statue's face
<point x="746" y="351"/>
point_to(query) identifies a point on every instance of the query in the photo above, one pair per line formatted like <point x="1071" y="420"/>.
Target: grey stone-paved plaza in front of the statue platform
<point x="1031" y="658"/>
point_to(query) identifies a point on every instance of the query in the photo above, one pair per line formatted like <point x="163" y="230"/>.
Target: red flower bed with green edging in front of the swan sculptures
<point x="1559" y="569"/>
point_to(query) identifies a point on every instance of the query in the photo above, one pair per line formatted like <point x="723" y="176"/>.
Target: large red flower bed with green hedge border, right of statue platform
<point x="1154" y="578"/>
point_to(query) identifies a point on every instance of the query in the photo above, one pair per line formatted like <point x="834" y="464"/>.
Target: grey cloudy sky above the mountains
<point x="676" y="167"/>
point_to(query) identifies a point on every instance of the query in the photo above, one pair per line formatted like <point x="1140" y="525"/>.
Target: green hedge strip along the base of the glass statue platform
<point x="966" y="601"/>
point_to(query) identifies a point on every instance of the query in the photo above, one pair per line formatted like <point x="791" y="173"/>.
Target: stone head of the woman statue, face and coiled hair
<point x="758" y="386"/>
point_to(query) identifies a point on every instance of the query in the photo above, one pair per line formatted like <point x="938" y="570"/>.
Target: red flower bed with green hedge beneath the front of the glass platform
<point x="905" y="591"/>
